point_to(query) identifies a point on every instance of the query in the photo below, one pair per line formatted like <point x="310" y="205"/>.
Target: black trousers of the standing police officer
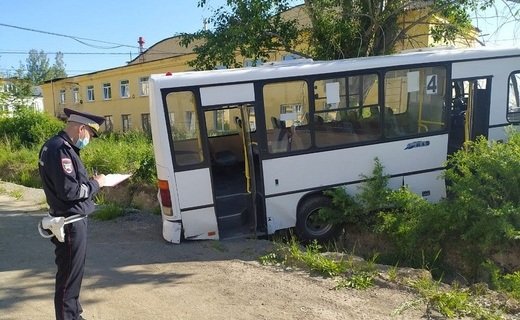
<point x="70" y="260"/>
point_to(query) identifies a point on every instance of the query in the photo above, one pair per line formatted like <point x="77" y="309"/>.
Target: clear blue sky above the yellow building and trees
<point x="100" y="34"/>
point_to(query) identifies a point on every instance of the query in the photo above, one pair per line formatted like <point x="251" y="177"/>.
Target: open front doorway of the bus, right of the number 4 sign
<point x="469" y="111"/>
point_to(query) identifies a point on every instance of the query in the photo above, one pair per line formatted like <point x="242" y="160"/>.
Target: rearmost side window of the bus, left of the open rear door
<point x="187" y="147"/>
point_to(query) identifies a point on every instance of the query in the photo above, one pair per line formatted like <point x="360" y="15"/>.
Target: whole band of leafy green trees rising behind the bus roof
<point x="337" y="28"/>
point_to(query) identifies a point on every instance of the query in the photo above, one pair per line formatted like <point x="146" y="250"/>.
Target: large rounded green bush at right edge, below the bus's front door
<point x="484" y="192"/>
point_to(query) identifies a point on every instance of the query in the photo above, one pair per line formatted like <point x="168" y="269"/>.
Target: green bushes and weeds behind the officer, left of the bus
<point x="22" y="135"/>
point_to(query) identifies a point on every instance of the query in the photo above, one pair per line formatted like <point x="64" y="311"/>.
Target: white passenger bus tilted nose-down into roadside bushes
<point x="249" y="151"/>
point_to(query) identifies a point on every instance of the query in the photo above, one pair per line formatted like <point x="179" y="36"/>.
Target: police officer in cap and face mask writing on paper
<point x="70" y="191"/>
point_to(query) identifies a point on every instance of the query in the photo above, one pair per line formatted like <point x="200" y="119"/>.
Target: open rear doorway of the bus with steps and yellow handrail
<point x="230" y="146"/>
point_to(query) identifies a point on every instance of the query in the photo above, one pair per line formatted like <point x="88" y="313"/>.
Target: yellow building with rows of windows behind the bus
<point x="121" y="94"/>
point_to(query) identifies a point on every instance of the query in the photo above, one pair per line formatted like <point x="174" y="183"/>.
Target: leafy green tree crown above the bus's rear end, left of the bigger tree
<point x="251" y="28"/>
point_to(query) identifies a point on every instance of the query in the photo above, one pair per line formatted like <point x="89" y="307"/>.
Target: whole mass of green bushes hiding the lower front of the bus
<point x="479" y="218"/>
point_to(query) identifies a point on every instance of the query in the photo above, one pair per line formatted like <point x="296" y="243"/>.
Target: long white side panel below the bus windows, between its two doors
<point x="340" y="166"/>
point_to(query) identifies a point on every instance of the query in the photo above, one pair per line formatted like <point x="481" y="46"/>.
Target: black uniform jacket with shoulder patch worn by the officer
<point x="68" y="189"/>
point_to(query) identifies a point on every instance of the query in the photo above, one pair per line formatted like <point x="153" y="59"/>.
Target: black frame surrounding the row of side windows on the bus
<point x="258" y="104"/>
